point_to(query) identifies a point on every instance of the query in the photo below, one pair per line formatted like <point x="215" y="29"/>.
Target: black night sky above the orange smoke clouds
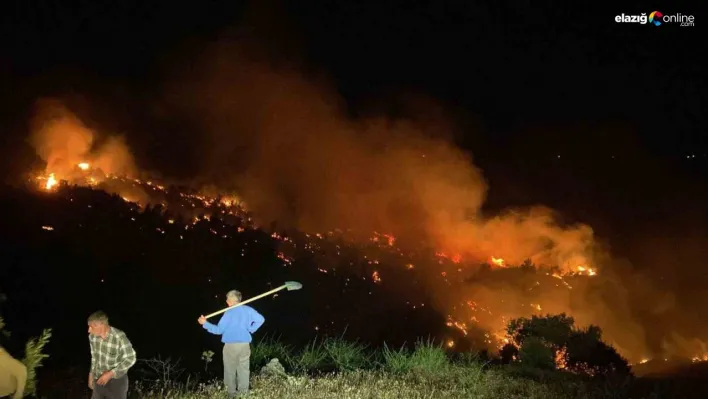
<point x="526" y="81"/>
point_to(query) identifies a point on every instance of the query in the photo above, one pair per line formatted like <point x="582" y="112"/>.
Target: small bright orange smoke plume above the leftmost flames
<point x="63" y="141"/>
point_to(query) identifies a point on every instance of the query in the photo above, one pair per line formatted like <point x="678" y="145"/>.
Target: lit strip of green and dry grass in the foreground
<point x="427" y="371"/>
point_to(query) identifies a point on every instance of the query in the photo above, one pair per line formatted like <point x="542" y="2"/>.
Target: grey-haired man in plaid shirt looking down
<point x="112" y="355"/>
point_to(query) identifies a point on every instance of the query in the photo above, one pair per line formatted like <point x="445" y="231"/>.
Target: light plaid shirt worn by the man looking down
<point x="115" y="353"/>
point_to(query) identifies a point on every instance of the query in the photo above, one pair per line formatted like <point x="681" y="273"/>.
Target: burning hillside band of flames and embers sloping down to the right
<point x="480" y="299"/>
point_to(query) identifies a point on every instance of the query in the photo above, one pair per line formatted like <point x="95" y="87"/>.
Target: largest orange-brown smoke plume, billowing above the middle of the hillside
<point x="287" y="142"/>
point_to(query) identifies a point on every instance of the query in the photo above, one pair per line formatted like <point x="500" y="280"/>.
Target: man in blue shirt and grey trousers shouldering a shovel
<point x="235" y="328"/>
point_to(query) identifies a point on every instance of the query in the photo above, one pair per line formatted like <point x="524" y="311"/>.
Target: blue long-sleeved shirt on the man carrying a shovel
<point x="236" y="325"/>
